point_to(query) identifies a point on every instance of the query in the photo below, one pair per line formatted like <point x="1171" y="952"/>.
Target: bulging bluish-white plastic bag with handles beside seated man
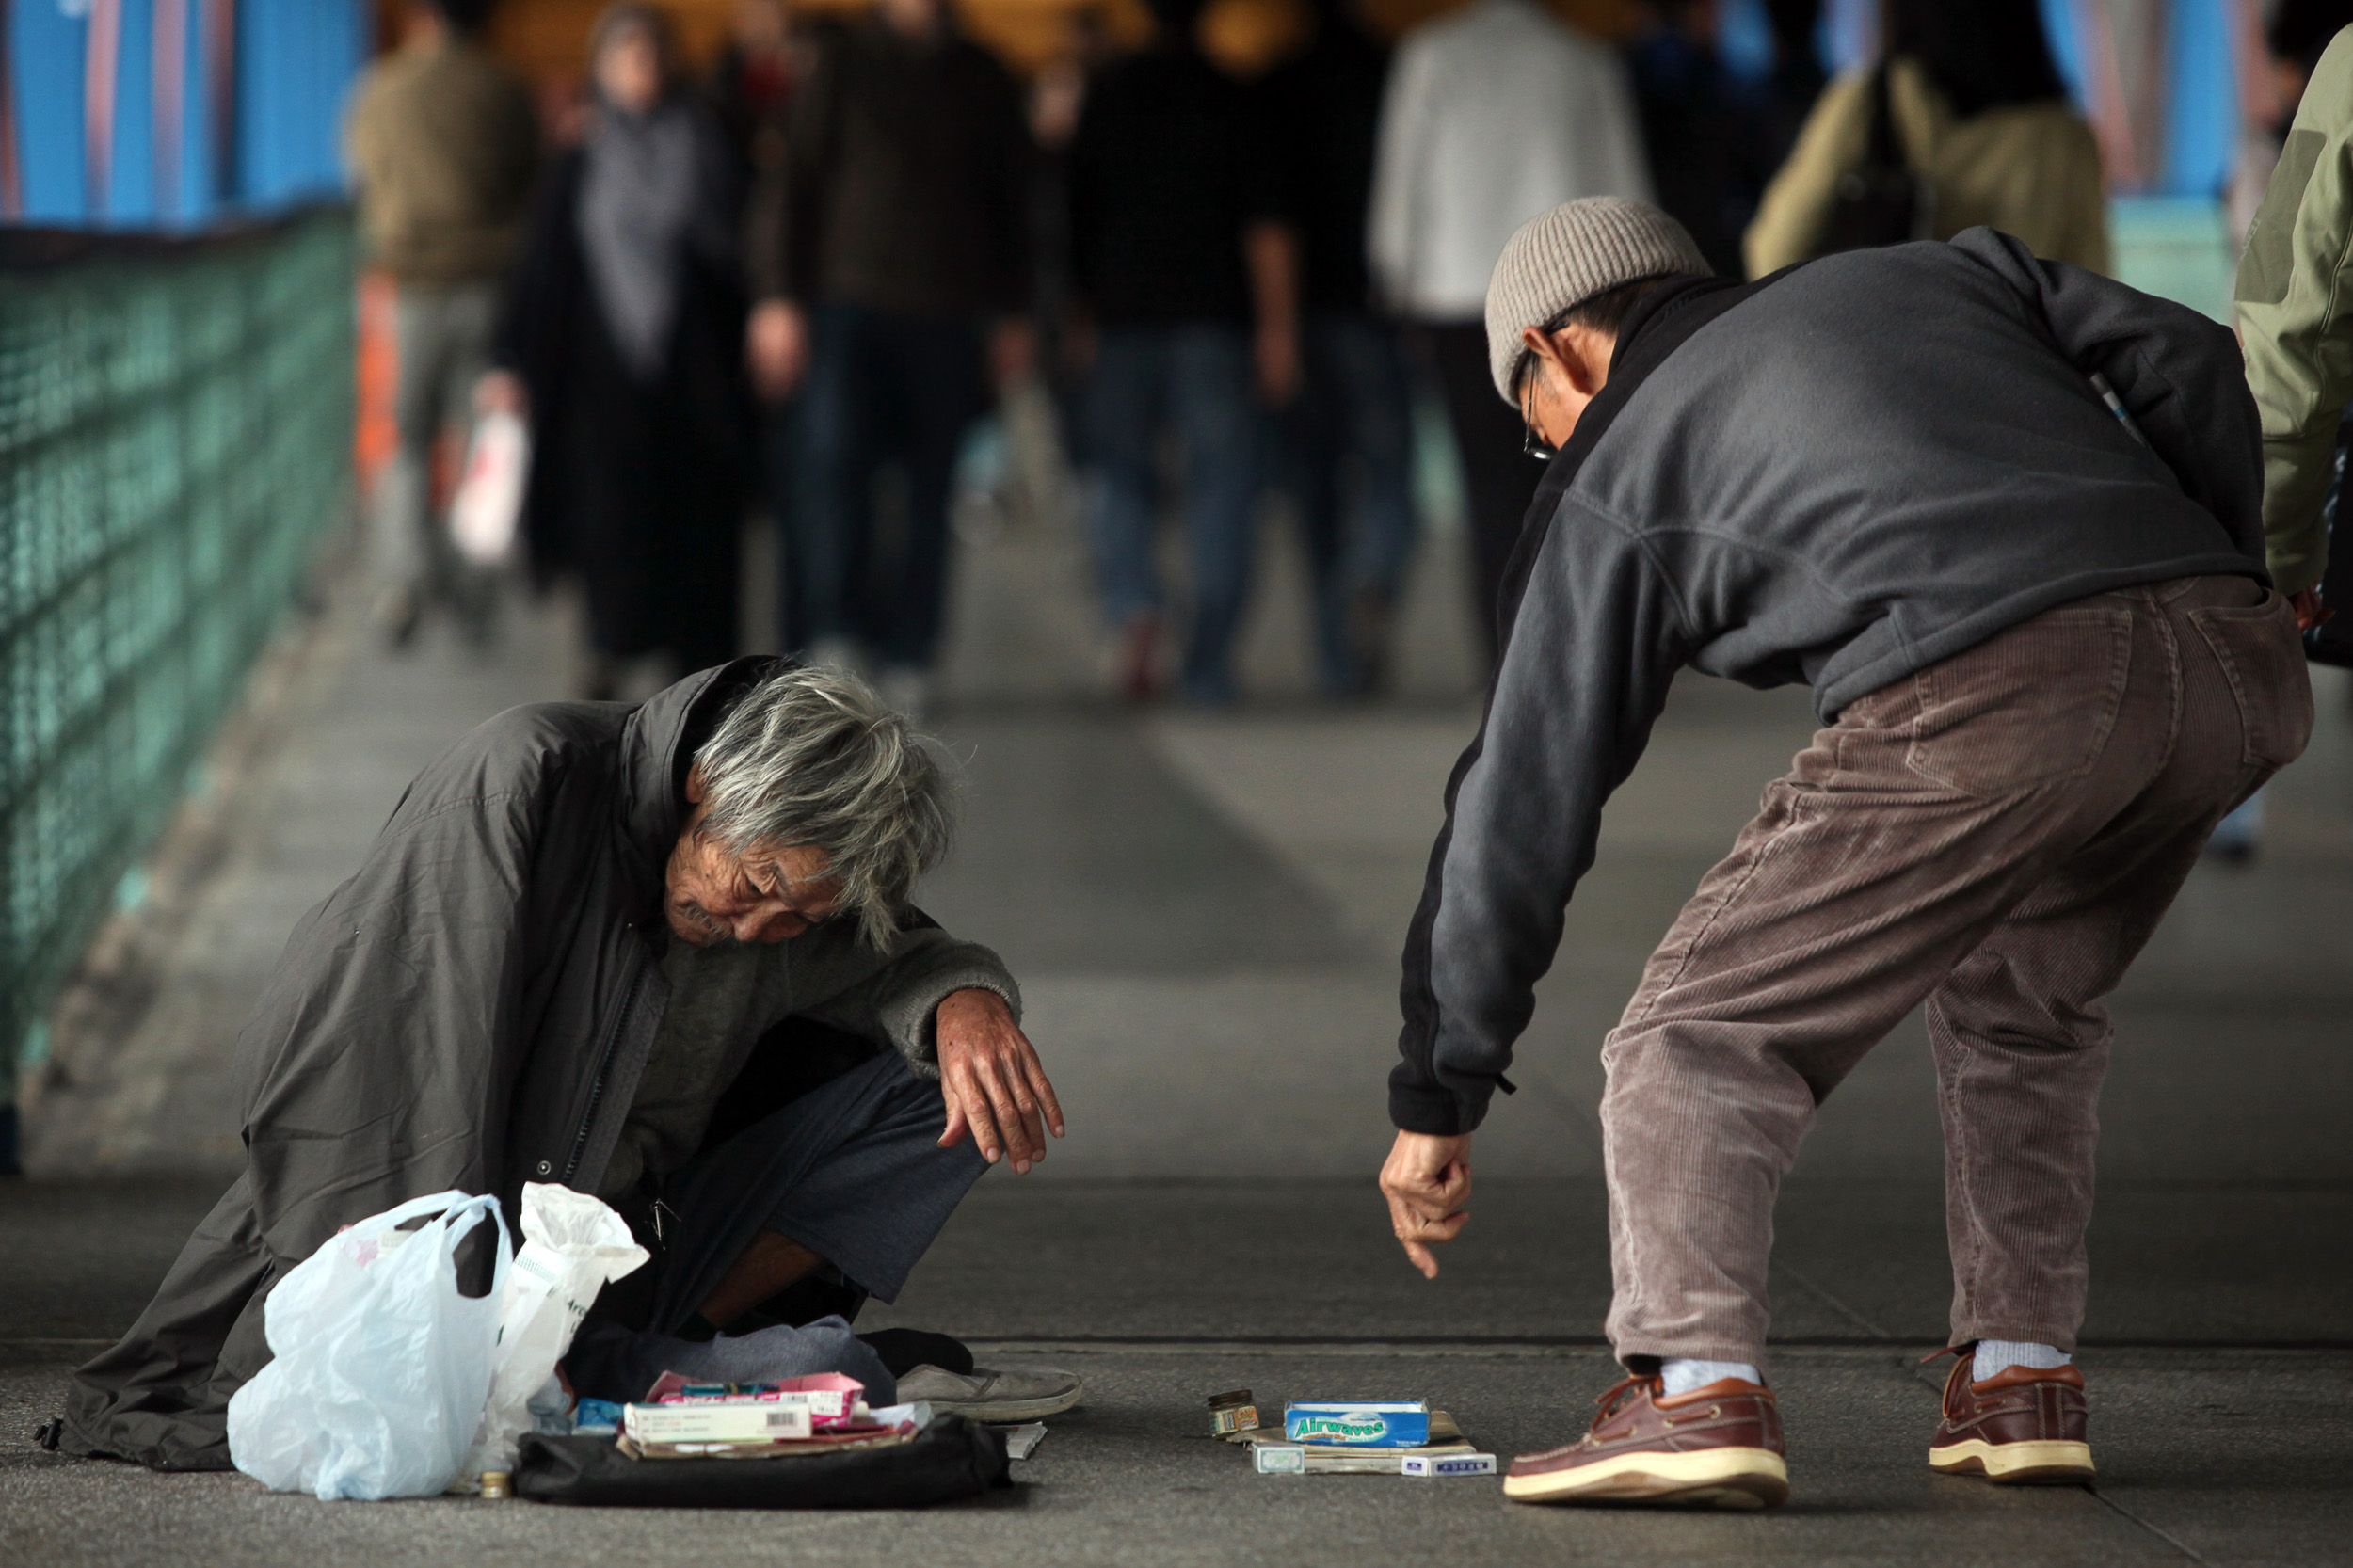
<point x="382" y="1369"/>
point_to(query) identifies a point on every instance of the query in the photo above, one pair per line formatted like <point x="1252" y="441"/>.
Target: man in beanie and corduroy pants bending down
<point x="2046" y="660"/>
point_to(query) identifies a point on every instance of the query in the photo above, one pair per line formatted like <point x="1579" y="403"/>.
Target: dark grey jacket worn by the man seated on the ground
<point x="469" y="1011"/>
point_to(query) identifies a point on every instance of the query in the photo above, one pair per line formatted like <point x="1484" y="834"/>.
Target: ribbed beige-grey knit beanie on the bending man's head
<point x="1571" y="255"/>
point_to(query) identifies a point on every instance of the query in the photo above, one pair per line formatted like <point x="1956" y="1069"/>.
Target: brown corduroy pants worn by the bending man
<point x="1997" y="837"/>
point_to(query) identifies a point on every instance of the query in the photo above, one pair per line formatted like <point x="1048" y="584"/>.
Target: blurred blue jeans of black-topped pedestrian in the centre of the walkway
<point x="1192" y="378"/>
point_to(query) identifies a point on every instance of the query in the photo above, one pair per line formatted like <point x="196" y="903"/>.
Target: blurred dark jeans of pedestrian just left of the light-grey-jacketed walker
<point x="1352" y="467"/>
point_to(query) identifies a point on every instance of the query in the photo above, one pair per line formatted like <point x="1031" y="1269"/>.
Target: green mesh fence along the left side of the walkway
<point x="175" y="432"/>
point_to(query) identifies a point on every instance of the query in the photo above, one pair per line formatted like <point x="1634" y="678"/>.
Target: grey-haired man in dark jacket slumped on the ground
<point x="662" y="955"/>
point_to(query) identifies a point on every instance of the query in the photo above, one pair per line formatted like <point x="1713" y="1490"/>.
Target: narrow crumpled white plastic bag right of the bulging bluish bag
<point x="571" y="1247"/>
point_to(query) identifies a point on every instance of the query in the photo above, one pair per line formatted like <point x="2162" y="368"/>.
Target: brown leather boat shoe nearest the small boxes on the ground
<point x="1712" y="1449"/>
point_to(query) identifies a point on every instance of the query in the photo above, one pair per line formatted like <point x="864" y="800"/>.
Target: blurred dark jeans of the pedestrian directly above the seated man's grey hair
<point x="884" y="387"/>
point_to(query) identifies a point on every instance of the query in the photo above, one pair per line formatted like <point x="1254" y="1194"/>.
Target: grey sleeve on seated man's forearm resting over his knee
<point x="891" y="997"/>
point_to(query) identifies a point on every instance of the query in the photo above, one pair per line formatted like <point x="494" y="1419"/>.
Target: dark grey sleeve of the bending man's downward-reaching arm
<point x="1594" y="646"/>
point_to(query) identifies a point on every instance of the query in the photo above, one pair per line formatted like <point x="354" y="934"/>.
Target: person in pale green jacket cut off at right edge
<point x="2295" y="288"/>
